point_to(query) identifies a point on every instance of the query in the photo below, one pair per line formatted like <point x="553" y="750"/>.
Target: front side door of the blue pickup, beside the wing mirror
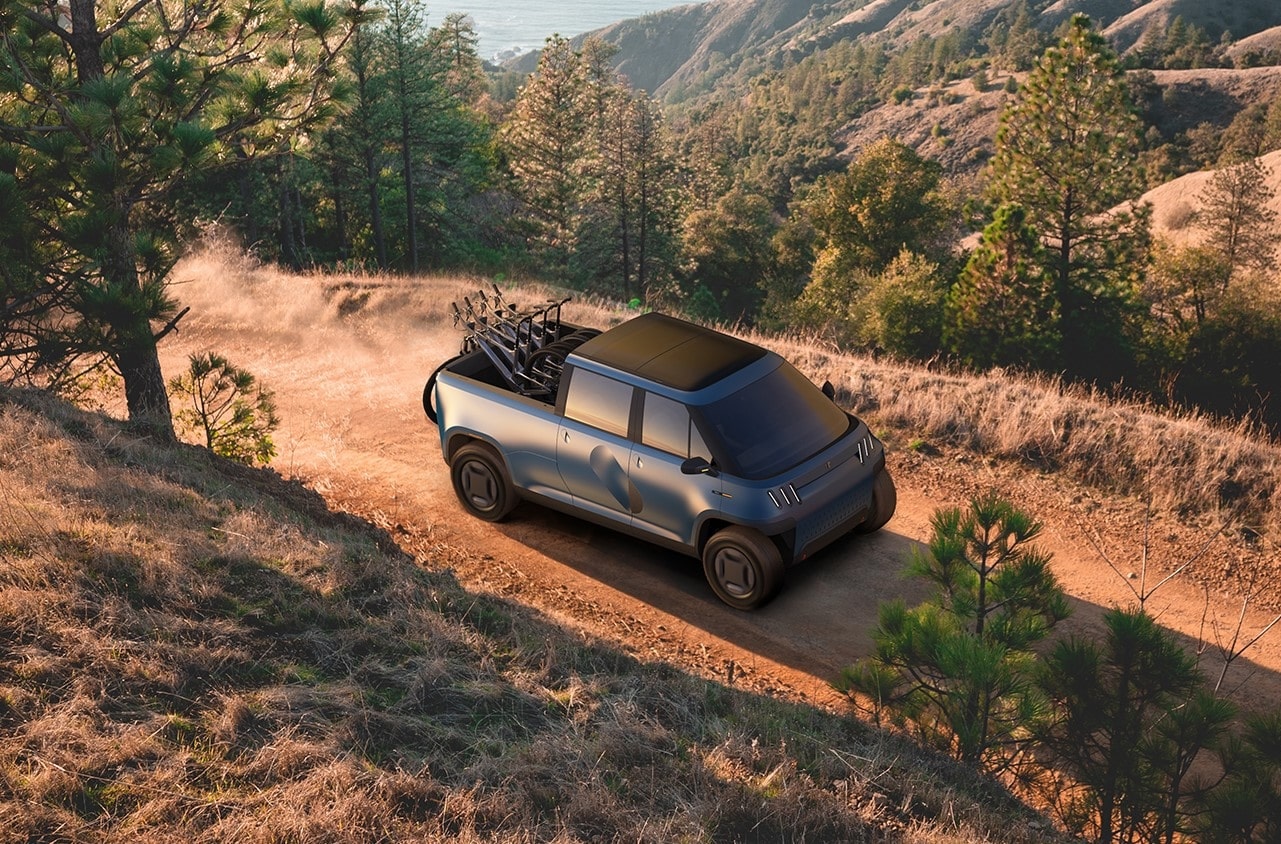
<point x="671" y="503"/>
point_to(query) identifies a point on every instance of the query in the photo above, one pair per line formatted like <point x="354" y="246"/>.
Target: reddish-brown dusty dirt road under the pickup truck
<point x="348" y="366"/>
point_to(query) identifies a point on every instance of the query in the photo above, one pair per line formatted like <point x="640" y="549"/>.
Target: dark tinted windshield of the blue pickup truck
<point x="772" y="425"/>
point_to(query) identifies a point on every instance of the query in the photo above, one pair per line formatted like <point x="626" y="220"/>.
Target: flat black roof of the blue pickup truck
<point x="671" y="352"/>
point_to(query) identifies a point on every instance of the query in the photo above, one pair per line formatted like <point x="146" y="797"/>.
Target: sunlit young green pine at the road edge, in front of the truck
<point x="960" y="665"/>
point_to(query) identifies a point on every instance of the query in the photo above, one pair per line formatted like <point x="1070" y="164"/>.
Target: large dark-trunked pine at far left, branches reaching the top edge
<point x="106" y="108"/>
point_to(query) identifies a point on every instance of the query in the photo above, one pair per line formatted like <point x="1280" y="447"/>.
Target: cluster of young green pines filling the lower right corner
<point x="1123" y="737"/>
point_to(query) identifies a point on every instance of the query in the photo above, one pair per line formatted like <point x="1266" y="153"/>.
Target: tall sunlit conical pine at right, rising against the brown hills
<point x="1068" y="153"/>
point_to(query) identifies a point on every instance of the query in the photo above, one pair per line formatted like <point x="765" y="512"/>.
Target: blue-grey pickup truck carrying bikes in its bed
<point x="663" y="430"/>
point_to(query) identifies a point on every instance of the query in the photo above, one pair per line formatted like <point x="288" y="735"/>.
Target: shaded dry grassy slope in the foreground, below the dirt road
<point x="198" y="651"/>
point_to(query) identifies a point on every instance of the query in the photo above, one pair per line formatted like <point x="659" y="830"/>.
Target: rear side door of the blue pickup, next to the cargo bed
<point x="592" y="448"/>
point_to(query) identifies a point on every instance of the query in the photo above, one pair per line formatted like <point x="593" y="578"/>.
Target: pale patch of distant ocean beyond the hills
<point x="509" y="28"/>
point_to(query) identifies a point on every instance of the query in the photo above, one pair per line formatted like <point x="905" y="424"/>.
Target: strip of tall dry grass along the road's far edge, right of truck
<point x="1187" y="464"/>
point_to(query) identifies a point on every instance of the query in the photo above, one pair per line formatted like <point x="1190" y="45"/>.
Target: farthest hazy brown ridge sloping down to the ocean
<point x="691" y="49"/>
